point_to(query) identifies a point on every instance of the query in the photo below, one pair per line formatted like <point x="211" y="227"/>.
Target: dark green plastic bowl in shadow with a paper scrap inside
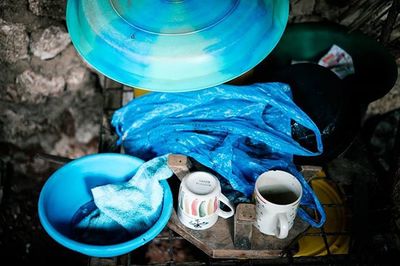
<point x="375" y="68"/>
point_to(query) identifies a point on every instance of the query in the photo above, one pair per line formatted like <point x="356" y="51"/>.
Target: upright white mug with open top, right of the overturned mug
<point x="277" y="196"/>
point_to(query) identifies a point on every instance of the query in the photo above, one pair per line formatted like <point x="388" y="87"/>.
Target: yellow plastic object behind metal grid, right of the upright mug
<point x="335" y="222"/>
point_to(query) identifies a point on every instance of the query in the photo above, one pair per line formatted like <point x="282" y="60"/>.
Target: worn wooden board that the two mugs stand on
<point x="219" y="240"/>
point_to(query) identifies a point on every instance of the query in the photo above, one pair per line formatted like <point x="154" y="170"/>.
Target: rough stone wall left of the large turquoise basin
<point x="49" y="99"/>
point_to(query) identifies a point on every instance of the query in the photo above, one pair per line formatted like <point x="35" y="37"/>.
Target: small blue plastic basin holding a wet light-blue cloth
<point x="68" y="189"/>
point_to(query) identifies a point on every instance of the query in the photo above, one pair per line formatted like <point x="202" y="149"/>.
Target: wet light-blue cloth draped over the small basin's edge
<point x="134" y="205"/>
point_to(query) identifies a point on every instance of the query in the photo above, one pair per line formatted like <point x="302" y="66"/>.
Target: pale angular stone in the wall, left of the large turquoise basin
<point x="51" y="42"/>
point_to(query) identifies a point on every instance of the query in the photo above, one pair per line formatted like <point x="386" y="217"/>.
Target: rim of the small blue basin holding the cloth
<point x="105" y="250"/>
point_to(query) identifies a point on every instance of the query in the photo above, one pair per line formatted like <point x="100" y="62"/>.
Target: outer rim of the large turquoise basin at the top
<point x="159" y="85"/>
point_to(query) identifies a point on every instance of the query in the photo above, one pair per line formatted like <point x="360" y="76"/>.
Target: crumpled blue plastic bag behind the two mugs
<point x="238" y="131"/>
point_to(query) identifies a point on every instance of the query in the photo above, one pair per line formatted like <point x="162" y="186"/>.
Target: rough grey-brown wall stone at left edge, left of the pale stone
<point x="13" y="42"/>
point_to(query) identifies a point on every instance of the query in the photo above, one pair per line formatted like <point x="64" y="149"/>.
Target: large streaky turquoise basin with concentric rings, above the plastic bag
<point x="175" y="45"/>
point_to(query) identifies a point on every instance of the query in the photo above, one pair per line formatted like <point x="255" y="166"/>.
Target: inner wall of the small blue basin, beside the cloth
<point x="69" y="188"/>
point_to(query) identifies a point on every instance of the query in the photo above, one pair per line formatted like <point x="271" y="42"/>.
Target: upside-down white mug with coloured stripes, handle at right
<point x="198" y="201"/>
